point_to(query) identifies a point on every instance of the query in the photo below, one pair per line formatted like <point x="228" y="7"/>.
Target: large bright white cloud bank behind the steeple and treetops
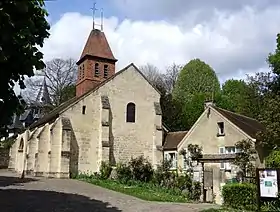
<point x="232" y="42"/>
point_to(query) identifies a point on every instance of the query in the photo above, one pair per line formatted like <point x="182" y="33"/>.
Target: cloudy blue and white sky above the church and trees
<point x="233" y="37"/>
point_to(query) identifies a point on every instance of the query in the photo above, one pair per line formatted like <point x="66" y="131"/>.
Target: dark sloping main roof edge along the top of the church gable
<point x="55" y="113"/>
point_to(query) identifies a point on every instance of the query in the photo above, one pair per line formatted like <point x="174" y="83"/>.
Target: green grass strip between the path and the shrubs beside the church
<point x="140" y="190"/>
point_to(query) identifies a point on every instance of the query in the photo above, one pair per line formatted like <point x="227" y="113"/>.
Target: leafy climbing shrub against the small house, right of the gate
<point x="245" y="156"/>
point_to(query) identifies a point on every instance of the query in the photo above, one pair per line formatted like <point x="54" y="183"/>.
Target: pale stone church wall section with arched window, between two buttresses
<point x="139" y="138"/>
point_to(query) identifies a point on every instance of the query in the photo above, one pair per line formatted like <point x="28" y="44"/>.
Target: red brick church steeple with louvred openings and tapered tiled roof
<point x="96" y="64"/>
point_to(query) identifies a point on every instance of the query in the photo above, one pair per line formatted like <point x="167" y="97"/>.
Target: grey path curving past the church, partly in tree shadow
<point x="57" y="195"/>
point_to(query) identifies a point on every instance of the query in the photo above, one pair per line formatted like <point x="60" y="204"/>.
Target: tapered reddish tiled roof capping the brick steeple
<point x="97" y="46"/>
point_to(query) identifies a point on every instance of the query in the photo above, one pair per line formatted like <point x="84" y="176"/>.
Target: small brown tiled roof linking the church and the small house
<point x="172" y="139"/>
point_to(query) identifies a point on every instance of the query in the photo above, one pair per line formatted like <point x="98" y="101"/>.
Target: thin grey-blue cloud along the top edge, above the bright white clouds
<point x="174" y="9"/>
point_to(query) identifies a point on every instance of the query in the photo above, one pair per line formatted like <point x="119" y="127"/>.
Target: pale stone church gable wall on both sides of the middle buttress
<point x="128" y="139"/>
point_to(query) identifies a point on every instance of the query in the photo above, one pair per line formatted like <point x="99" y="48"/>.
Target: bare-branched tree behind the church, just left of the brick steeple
<point x="61" y="76"/>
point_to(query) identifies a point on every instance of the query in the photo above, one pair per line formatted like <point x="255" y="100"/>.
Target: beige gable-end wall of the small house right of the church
<point x="204" y="133"/>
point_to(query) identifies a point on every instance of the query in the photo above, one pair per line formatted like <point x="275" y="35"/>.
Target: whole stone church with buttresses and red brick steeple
<point x="114" y="116"/>
